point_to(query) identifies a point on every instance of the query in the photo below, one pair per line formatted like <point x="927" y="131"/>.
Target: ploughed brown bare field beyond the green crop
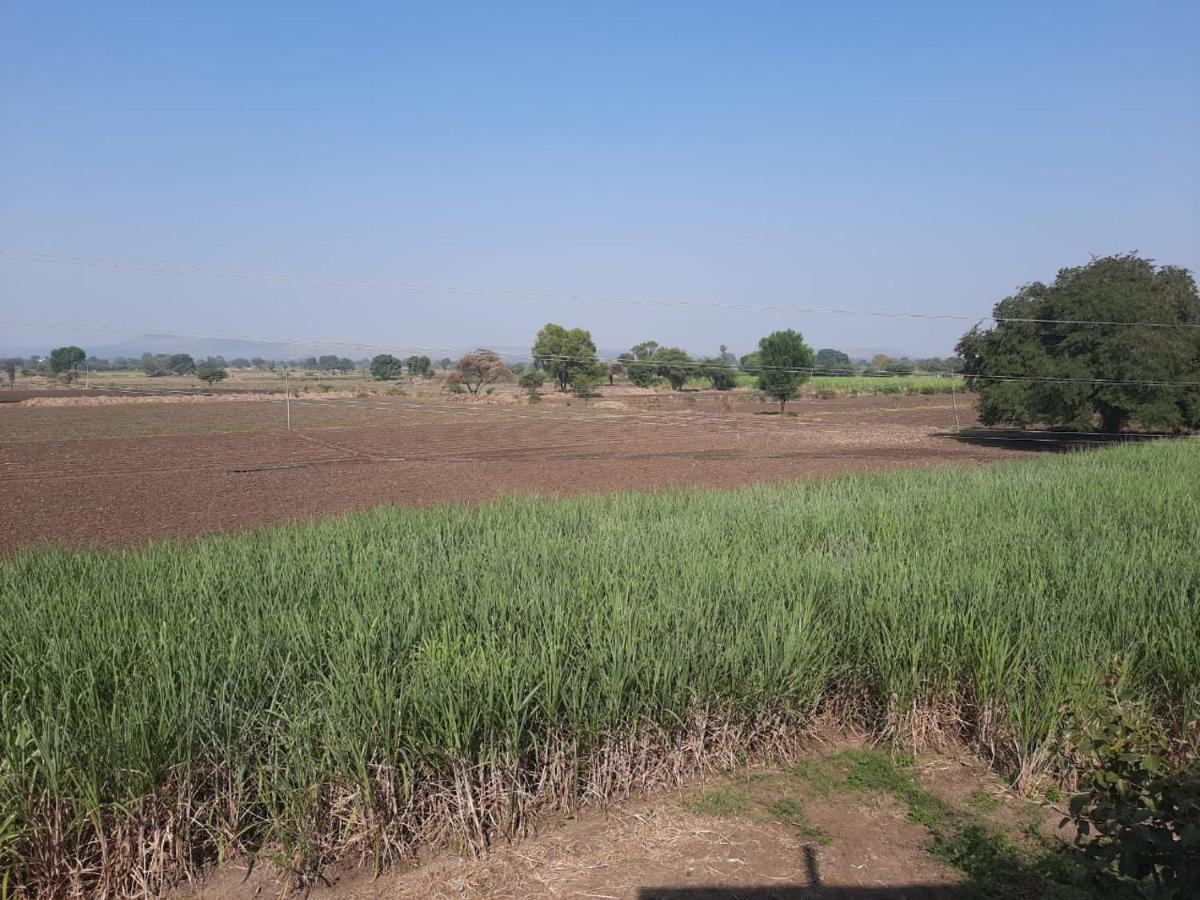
<point x="128" y="473"/>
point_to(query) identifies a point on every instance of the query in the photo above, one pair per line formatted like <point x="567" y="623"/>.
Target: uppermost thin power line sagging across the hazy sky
<point x="517" y="295"/>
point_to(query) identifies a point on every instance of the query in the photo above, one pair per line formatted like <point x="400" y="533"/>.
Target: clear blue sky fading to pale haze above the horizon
<point x="897" y="157"/>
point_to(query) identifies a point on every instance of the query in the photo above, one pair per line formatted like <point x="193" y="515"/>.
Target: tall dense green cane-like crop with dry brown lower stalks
<point x="352" y="687"/>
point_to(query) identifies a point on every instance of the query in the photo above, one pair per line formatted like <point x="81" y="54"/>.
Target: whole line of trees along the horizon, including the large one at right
<point x="1107" y="346"/>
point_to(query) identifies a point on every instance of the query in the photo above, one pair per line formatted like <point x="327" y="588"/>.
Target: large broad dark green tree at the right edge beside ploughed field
<point x="1042" y="363"/>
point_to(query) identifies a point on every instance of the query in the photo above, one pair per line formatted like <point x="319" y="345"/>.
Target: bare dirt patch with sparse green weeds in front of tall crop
<point x="847" y="825"/>
